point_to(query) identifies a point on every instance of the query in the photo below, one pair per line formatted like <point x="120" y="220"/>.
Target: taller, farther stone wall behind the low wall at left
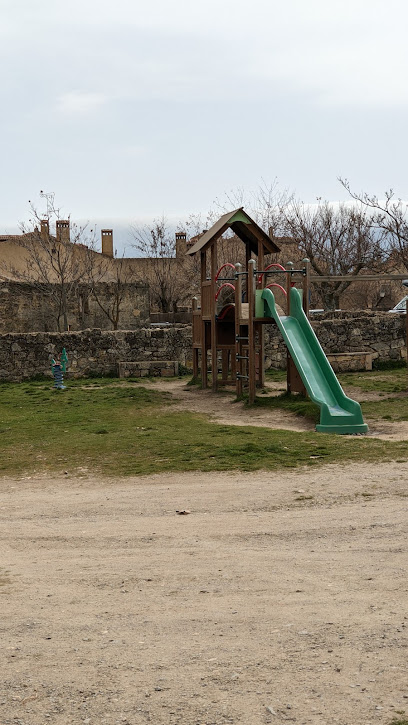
<point x="23" y="308"/>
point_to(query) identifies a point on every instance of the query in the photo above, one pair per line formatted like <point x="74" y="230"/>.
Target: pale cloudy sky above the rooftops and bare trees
<point x="131" y="110"/>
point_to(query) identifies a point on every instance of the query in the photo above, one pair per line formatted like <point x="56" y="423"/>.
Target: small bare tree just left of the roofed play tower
<point x="167" y="276"/>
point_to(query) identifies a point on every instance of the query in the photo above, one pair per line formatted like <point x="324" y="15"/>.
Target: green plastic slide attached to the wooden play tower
<point x="338" y="413"/>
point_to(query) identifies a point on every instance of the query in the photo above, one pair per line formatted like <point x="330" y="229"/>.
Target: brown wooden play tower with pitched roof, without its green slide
<point x="234" y="334"/>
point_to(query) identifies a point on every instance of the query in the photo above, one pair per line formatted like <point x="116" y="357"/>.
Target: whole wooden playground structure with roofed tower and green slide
<point x="235" y="333"/>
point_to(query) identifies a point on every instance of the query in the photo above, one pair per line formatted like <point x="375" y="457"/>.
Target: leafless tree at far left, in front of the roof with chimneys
<point x="51" y="264"/>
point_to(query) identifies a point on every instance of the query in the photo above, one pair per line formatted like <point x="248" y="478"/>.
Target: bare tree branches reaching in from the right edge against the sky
<point x="390" y="217"/>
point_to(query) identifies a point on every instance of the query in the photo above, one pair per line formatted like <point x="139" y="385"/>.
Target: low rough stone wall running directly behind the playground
<point x="99" y="352"/>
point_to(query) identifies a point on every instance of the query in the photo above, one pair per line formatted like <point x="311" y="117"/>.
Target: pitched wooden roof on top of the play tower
<point x="243" y="226"/>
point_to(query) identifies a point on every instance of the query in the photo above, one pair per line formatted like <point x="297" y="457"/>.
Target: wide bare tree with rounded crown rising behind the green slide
<point x="338" y="240"/>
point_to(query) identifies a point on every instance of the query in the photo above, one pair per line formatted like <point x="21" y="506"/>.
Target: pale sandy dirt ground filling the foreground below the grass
<point x="279" y="598"/>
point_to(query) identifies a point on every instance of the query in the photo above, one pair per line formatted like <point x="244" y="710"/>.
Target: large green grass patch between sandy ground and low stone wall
<point x="114" y="428"/>
